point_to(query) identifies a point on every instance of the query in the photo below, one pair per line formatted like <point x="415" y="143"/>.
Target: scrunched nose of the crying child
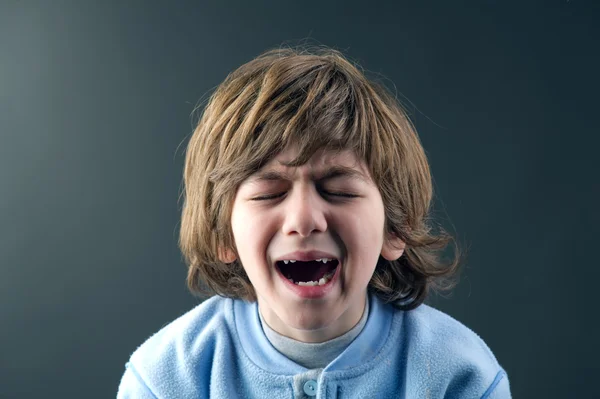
<point x="304" y="214"/>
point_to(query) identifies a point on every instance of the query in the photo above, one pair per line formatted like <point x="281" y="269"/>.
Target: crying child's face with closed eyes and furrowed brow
<point x="328" y="208"/>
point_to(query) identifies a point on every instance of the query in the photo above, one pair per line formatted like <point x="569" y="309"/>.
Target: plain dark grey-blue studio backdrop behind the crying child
<point x="95" y="105"/>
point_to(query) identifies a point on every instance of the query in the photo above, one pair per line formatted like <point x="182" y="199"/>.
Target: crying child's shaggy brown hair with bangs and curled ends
<point x="316" y="100"/>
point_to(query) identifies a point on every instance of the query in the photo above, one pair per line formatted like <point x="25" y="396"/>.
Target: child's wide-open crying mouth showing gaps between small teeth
<point x="308" y="273"/>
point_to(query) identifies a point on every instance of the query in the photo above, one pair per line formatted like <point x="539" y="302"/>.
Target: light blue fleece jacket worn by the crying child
<point x="219" y="350"/>
